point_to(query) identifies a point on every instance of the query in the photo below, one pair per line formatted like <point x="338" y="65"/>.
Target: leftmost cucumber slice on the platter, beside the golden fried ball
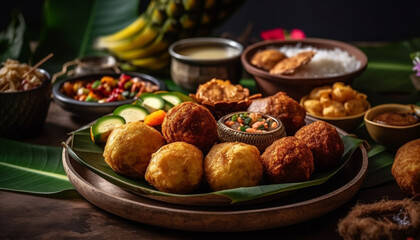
<point x="101" y="129"/>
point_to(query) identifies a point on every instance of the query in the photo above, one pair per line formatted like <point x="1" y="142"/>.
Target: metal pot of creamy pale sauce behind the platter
<point x="198" y="60"/>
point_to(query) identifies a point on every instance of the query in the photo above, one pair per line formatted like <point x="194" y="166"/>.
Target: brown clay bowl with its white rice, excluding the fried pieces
<point x="333" y="61"/>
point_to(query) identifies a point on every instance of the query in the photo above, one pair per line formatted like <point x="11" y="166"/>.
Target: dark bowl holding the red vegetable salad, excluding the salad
<point x="93" y="110"/>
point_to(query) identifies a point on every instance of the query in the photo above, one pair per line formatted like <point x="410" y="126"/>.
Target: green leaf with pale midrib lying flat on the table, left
<point x="31" y="168"/>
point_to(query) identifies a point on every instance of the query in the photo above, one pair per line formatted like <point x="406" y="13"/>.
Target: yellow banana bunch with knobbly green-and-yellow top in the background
<point x="144" y="43"/>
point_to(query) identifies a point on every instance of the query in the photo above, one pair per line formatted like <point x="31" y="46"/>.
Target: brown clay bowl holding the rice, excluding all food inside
<point x="297" y="87"/>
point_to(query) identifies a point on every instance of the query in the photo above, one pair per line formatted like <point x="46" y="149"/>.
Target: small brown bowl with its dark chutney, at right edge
<point x="393" y="125"/>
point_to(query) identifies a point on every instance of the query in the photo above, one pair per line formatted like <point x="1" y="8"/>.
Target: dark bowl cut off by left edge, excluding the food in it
<point x="23" y="113"/>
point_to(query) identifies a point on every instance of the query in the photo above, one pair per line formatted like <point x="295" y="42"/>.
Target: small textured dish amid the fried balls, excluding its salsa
<point x="259" y="139"/>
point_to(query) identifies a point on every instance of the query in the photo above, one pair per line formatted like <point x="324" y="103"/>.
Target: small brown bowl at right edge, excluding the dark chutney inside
<point x="392" y="137"/>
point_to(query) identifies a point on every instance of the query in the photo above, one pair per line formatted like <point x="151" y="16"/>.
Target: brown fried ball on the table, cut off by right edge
<point x="406" y="168"/>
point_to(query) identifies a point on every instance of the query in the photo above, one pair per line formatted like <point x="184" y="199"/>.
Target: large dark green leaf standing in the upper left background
<point x="71" y="27"/>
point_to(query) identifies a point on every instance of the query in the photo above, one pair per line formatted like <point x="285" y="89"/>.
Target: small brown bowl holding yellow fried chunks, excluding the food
<point x="347" y="123"/>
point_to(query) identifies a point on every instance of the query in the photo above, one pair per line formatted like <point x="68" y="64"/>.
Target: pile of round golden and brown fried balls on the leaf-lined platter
<point x="187" y="153"/>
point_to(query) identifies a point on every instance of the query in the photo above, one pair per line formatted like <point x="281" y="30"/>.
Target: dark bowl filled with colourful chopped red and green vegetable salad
<point x="93" y="95"/>
